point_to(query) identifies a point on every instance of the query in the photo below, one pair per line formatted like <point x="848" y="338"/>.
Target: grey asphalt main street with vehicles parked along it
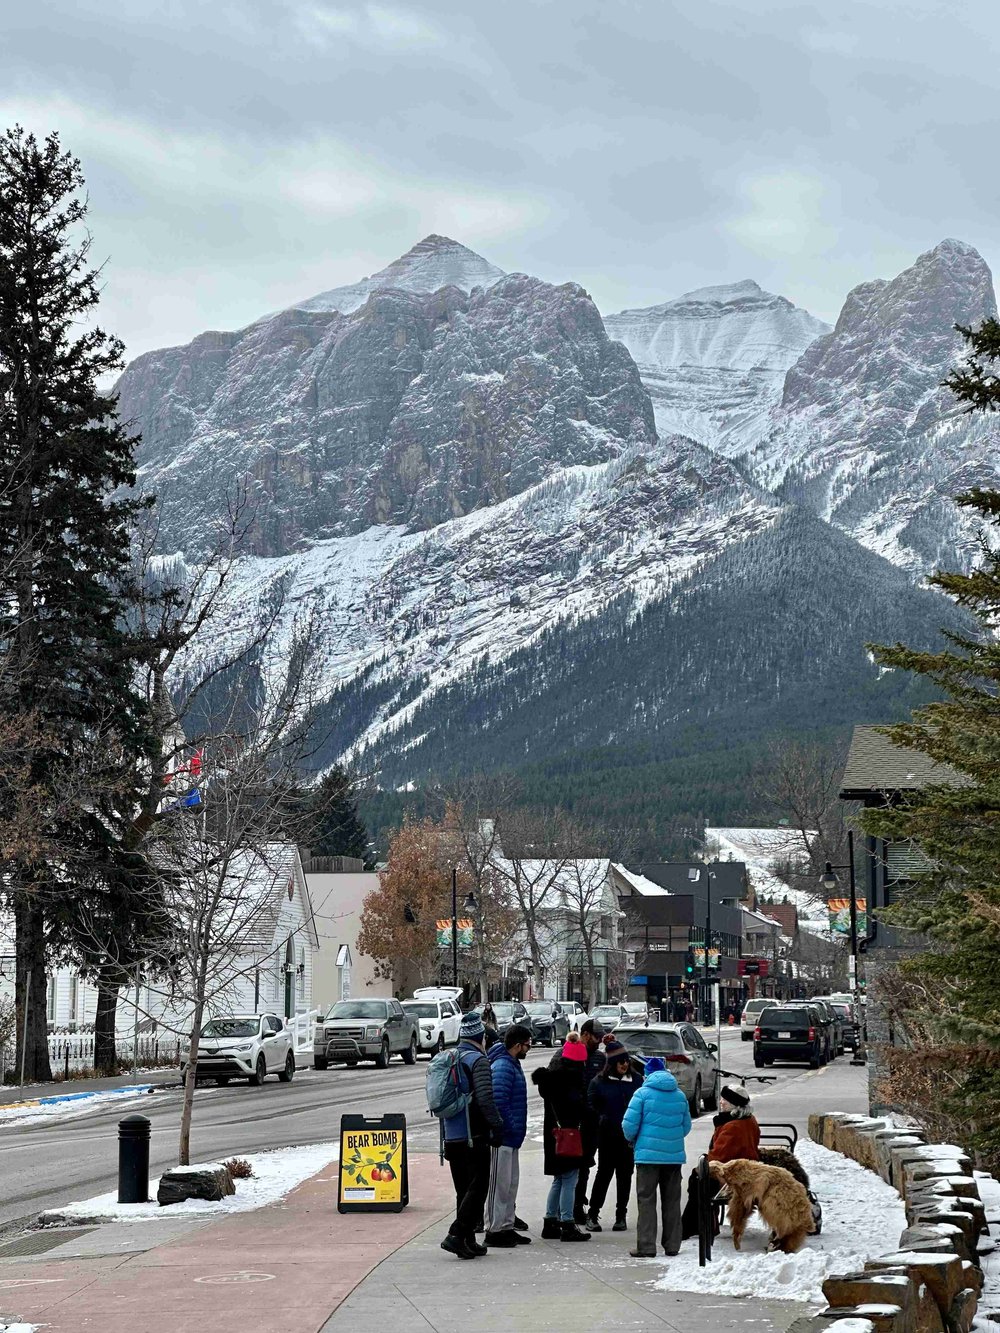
<point x="51" y="1164"/>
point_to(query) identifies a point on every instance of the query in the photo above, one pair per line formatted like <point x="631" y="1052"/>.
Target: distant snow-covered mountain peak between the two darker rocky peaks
<point x="714" y="361"/>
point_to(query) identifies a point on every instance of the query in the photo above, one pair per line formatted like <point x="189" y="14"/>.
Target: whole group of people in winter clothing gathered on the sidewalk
<point x="603" y="1108"/>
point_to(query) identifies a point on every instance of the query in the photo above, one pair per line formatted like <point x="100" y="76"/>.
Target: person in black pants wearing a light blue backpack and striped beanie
<point x="469" y="1139"/>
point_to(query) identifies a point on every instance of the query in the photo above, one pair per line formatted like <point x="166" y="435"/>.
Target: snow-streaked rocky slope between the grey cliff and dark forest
<point x="423" y="607"/>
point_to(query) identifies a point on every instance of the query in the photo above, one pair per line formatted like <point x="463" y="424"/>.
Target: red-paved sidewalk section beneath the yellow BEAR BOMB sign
<point x="285" y="1268"/>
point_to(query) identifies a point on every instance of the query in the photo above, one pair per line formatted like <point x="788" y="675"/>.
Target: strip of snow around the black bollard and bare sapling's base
<point x="275" y="1175"/>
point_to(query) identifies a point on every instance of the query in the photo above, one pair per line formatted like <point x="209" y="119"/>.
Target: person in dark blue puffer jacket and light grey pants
<point x="511" y="1098"/>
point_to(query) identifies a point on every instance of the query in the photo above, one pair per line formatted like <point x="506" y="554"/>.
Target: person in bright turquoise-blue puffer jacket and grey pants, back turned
<point x="657" y="1123"/>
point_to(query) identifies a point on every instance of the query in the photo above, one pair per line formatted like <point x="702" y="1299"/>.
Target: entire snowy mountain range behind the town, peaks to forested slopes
<point x="461" y="473"/>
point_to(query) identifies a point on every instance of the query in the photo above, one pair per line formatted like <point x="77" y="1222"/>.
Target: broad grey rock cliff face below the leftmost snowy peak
<point x="414" y="409"/>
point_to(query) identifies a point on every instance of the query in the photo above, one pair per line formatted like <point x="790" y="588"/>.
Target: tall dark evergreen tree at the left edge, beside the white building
<point x="69" y="666"/>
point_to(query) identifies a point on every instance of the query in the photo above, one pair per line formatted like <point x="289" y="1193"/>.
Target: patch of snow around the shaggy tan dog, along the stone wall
<point x="862" y="1219"/>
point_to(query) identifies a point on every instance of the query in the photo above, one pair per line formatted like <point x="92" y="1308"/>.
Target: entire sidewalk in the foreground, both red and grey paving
<point x="313" y="1270"/>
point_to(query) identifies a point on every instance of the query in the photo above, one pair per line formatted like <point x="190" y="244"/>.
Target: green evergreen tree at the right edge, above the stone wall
<point x="957" y="823"/>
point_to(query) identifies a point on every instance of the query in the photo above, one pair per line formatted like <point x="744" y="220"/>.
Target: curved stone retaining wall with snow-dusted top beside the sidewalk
<point x="933" y="1283"/>
